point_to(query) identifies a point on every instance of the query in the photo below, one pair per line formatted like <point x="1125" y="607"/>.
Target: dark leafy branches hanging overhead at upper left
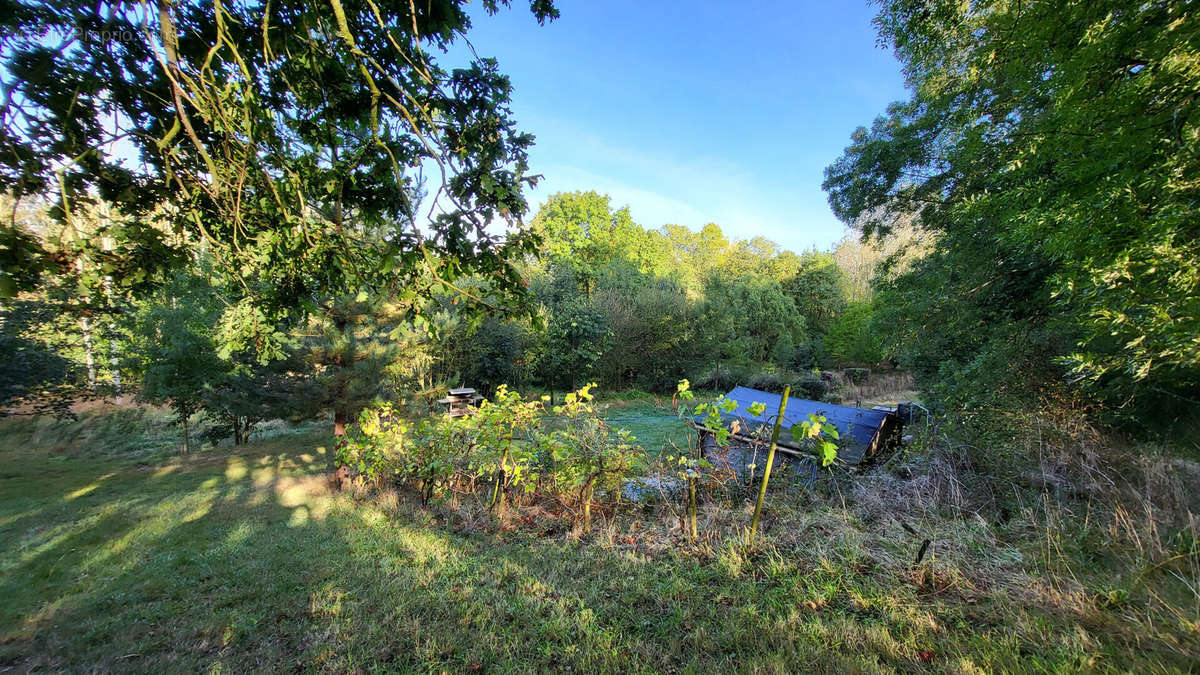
<point x="292" y="140"/>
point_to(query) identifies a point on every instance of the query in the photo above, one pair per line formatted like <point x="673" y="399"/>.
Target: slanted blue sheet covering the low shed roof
<point x="857" y="427"/>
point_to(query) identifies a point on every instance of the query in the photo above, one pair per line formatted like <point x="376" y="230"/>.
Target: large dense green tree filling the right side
<point x="1045" y="146"/>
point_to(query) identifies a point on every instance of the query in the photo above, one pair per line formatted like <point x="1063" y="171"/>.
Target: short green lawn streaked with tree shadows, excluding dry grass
<point x="247" y="563"/>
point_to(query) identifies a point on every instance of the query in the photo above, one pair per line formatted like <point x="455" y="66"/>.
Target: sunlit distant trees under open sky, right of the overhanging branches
<point x="637" y="308"/>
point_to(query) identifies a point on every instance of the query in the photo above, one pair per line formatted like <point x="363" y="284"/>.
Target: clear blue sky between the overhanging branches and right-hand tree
<point x="697" y="112"/>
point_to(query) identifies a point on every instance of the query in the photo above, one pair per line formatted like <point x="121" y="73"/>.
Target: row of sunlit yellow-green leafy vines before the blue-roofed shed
<point x="513" y="451"/>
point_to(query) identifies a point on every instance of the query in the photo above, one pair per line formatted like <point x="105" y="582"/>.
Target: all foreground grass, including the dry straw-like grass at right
<point x="233" y="561"/>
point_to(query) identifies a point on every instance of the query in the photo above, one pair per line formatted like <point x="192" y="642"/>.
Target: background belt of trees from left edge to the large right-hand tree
<point x="610" y="302"/>
